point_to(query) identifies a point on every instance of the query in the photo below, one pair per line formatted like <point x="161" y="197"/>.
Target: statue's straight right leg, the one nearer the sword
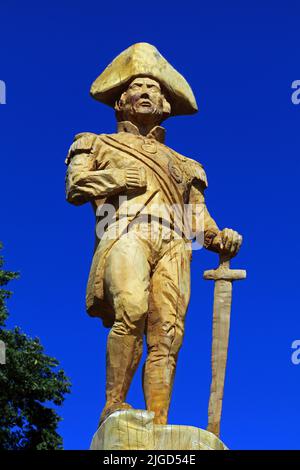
<point x="169" y="298"/>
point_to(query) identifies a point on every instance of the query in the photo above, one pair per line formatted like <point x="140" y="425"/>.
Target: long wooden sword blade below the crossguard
<point x="221" y="327"/>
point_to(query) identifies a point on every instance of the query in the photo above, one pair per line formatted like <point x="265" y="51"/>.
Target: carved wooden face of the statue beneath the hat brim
<point x="143" y="103"/>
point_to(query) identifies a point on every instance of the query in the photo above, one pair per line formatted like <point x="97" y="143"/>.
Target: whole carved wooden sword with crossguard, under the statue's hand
<point x="223" y="277"/>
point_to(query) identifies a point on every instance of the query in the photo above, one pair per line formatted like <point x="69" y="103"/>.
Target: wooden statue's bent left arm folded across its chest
<point x="84" y="182"/>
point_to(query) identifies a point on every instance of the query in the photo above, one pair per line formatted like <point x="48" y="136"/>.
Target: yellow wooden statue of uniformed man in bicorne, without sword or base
<point x="140" y="284"/>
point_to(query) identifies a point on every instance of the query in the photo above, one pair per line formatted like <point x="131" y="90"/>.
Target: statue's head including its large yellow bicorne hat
<point x="141" y="85"/>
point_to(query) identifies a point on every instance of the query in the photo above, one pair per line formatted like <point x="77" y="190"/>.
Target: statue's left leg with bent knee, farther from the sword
<point x="127" y="275"/>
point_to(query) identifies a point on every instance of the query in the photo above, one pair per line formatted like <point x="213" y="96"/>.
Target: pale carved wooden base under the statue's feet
<point x="134" y="430"/>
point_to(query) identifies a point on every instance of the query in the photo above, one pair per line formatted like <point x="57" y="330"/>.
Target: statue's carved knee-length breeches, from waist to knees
<point x="147" y="282"/>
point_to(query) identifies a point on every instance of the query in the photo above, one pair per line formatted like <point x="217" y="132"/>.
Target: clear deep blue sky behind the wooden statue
<point x="240" y="59"/>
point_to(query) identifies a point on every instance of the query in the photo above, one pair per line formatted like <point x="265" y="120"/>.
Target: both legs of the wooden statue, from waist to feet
<point x="147" y="283"/>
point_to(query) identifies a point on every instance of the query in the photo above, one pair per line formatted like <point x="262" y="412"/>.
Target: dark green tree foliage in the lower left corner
<point x="30" y="385"/>
